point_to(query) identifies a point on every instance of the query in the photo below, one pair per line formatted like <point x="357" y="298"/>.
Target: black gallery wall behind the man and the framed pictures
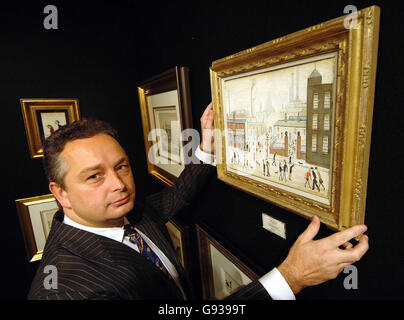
<point x="100" y="53"/>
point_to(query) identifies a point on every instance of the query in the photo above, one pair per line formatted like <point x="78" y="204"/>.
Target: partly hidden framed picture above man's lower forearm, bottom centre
<point x="222" y="273"/>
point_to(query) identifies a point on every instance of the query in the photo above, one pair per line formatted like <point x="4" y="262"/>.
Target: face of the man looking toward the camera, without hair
<point x="99" y="185"/>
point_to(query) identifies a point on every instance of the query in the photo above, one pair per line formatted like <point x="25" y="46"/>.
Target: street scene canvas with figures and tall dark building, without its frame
<point x="279" y="125"/>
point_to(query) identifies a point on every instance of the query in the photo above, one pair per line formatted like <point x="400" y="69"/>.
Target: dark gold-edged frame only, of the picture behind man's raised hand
<point x="173" y="79"/>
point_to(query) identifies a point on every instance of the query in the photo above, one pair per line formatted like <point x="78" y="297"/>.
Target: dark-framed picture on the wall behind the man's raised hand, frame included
<point x="165" y="107"/>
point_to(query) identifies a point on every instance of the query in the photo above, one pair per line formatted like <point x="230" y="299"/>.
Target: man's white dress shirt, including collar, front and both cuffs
<point x="273" y="281"/>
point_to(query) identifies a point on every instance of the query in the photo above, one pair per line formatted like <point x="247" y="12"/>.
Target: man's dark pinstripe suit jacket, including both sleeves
<point x="91" y="266"/>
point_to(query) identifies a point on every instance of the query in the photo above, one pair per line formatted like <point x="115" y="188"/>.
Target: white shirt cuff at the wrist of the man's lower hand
<point x="277" y="286"/>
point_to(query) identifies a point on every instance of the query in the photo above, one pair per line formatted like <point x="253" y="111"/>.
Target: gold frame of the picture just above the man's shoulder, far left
<point x="33" y="252"/>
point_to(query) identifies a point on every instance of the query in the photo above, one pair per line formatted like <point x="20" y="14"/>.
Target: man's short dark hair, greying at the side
<point x="55" y="167"/>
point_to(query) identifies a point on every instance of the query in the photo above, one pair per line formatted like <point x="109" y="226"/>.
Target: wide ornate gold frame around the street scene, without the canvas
<point x="356" y="72"/>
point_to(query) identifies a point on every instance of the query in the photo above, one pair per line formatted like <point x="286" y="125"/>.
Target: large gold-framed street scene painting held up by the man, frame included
<point x="295" y="117"/>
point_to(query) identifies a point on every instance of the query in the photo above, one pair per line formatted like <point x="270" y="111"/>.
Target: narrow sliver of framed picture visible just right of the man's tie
<point x="180" y="237"/>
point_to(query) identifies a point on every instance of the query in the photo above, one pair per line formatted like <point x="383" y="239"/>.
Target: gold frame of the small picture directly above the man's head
<point x="29" y="110"/>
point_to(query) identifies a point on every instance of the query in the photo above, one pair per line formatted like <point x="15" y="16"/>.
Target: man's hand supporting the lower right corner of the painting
<point x="312" y="262"/>
